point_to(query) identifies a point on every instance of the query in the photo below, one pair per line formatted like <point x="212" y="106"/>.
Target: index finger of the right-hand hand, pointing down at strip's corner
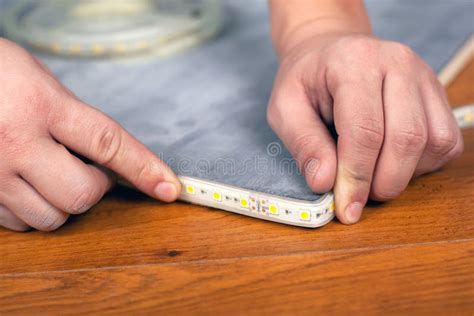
<point x="359" y="120"/>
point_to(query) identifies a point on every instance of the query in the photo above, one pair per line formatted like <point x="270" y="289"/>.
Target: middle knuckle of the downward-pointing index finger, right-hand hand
<point x="368" y="134"/>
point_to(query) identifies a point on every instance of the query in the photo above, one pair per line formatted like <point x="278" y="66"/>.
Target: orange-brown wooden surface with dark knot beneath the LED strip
<point x="136" y="256"/>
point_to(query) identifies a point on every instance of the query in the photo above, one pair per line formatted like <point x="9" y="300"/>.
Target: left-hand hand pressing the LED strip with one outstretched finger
<point x="41" y="182"/>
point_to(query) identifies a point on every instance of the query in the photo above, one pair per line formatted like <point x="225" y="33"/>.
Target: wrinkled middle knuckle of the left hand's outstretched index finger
<point x="107" y="144"/>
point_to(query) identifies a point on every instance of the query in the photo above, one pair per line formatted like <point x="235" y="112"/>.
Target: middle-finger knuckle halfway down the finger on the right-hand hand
<point x="410" y="139"/>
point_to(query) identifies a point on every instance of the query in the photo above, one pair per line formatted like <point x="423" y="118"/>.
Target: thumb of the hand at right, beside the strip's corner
<point x="294" y="119"/>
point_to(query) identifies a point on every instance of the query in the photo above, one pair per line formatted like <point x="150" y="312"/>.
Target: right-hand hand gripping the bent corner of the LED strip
<point x="390" y="112"/>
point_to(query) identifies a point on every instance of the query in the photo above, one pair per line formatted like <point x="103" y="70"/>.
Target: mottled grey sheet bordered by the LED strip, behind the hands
<point x="203" y="111"/>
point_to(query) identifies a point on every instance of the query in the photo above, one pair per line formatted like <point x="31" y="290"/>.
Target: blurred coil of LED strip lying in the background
<point x="101" y="28"/>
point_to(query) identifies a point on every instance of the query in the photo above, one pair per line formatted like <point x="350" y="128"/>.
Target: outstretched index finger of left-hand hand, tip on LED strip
<point x="96" y="136"/>
